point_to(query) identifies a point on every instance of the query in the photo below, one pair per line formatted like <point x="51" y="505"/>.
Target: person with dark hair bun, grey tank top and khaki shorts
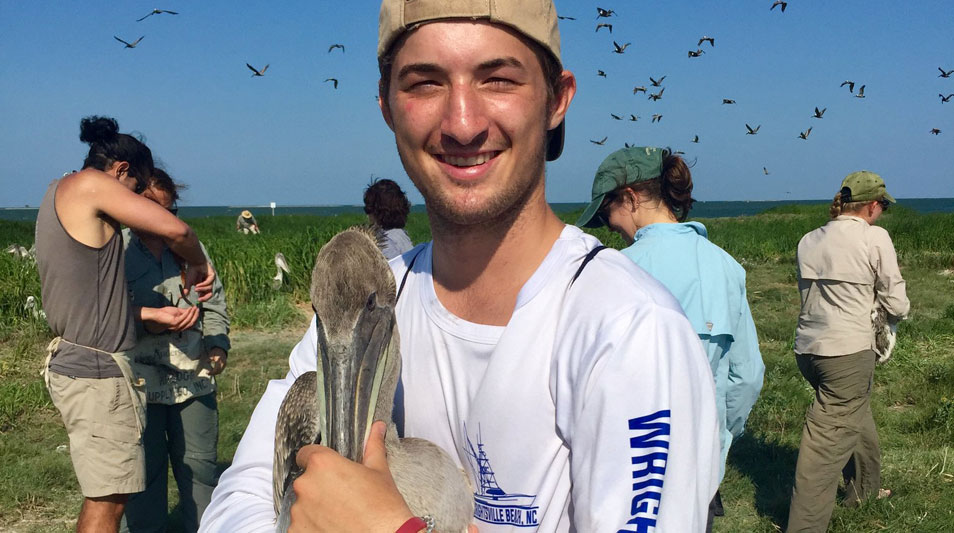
<point x="80" y="261"/>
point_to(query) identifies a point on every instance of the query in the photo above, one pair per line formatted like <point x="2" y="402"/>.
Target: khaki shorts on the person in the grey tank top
<point x="105" y="444"/>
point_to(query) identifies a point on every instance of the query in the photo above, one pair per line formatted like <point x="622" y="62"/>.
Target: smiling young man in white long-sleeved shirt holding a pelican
<point x="577" y="402"/>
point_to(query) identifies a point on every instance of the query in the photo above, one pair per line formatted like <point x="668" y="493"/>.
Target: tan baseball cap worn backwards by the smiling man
<point x="536" y="19"/>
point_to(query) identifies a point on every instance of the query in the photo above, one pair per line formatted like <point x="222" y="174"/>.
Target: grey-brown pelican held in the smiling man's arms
<point x="357" y="370"/>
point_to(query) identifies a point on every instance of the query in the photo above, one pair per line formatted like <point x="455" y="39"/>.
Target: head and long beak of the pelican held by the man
<point x="352" y="292"/>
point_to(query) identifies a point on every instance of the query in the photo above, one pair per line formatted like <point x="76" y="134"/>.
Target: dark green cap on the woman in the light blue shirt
<point x="622" y="167"/>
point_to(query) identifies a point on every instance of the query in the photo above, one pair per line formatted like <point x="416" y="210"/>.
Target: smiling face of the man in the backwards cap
<point x="468" y="105"/>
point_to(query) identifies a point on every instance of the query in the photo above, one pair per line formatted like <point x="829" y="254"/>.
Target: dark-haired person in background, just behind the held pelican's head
<point x="387" y="207"/>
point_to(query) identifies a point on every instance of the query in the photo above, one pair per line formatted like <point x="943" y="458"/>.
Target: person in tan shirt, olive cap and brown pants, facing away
<point x="846" y="270"/>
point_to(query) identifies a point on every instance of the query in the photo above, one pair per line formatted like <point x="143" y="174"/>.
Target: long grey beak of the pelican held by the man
<point x="350" y="375"/>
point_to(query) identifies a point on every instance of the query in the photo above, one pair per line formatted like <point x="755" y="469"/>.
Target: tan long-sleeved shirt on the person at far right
<point x="845" y="268"/>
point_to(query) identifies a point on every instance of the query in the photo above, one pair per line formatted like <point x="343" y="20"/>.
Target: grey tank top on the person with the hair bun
<point x="84" y="296"/>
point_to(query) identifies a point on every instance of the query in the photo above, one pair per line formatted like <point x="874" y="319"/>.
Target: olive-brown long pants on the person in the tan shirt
<point x="839" y="436"/>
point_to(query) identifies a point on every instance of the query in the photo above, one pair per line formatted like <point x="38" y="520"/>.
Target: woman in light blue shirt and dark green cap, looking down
<point x="645" y="195"/>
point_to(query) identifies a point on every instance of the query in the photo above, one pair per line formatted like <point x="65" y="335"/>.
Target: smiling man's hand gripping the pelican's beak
<point x="335" y="494"/>
